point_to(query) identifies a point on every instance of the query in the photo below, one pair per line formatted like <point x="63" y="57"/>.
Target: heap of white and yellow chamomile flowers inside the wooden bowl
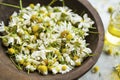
<point x="47" y="39"/>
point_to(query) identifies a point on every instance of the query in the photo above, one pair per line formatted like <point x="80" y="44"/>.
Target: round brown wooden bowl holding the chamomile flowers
<point x="8" y="71"/>
